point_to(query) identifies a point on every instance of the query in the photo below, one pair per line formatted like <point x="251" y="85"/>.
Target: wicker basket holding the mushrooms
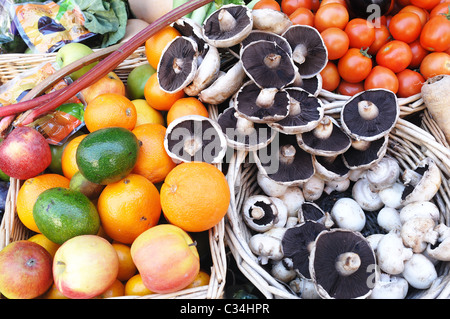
<point x="408" y="143"/>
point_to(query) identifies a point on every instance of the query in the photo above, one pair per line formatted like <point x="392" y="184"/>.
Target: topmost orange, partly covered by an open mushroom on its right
<point x="155" y="45"/>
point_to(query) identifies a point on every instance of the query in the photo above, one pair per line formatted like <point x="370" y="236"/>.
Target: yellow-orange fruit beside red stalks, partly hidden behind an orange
<point x="110" y="83"/>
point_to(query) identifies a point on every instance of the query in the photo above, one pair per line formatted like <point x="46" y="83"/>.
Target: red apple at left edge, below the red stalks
<point x="24" y="153"/>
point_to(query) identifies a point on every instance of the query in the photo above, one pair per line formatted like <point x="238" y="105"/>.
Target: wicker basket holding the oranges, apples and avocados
<point x="12" y="229"/>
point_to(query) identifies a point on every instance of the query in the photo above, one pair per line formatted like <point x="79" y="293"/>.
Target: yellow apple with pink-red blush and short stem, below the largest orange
<point x="166" y="258"/>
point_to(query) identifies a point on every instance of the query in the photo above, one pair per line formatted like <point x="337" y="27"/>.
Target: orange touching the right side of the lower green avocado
<point x="129" y="207"/>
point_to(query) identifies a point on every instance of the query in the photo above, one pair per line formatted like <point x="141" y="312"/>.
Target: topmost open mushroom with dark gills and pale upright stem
<point x="228" y="26"/>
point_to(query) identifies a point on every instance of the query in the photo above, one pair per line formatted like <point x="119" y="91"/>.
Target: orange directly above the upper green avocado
<point x="110" y="109"/>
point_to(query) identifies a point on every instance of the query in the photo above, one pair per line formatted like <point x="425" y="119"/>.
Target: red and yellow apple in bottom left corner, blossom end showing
<point x="25" y="270"/>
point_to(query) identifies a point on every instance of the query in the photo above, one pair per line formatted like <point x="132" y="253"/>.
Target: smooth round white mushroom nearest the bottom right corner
<point x="419" y="272"/>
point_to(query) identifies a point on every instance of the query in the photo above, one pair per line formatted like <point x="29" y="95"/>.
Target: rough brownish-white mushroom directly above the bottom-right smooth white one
<point x="417" y="232"/>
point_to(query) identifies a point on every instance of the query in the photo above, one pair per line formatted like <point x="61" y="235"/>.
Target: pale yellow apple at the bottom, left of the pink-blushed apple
<point x="85" y="266"/>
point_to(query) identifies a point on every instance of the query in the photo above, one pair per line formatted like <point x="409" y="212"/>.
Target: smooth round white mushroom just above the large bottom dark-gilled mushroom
<point x="347" y="214"/>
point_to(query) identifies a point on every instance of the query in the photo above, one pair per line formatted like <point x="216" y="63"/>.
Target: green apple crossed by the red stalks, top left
<point x="70" y="53"/>
